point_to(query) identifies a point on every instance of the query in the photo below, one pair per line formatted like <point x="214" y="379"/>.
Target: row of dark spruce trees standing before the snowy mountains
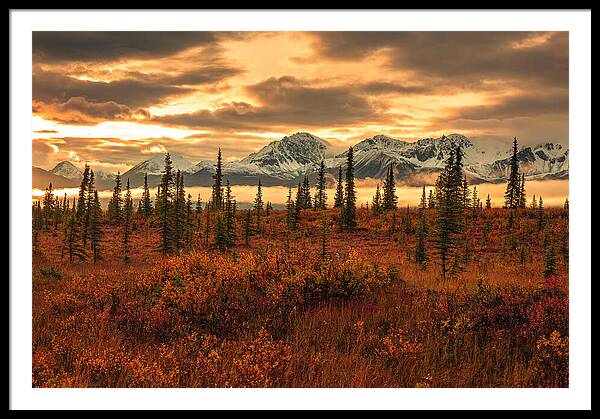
<point x="184" y="224"/>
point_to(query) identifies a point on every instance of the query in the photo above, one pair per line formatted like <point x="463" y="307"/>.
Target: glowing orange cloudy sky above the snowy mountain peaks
<point x="112" y="99"/>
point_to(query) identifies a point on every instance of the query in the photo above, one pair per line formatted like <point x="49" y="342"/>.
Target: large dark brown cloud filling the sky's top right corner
<point x="464" y="57"/>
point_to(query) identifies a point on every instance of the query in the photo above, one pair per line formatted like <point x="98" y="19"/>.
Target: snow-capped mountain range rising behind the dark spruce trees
<point x="286" y="161"/>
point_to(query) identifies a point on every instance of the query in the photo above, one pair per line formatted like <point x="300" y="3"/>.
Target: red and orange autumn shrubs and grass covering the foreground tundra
<point x="275" y="315"/>
